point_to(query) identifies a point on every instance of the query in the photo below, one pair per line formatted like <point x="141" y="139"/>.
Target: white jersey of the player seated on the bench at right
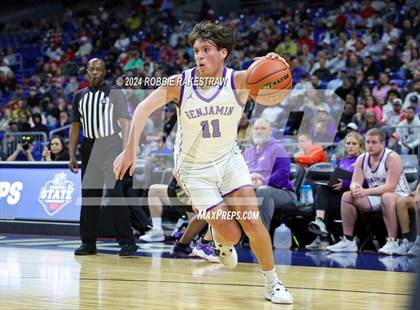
<point x="377" y="177"/>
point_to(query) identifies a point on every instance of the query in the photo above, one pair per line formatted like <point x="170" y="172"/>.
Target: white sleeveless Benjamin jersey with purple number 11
<point x="207" y="120"/>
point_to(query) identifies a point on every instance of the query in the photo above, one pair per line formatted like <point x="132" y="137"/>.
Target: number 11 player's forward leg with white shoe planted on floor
<point x="244" y="202"/>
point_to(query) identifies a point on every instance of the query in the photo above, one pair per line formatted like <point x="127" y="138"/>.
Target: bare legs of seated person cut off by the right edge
<point x="403" y="205"/>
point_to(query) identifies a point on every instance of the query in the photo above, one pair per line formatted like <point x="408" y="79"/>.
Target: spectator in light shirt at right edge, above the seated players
<point x="409" y="132"/>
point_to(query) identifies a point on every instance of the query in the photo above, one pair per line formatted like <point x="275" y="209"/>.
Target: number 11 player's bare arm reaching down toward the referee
<point x="154" y="101"/>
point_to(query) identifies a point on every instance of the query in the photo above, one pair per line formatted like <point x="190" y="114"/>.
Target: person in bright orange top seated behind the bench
<point x="309" y="153"/>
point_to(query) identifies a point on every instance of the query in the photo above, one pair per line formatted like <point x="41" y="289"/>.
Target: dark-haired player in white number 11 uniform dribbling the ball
<point x="208" y="162"/>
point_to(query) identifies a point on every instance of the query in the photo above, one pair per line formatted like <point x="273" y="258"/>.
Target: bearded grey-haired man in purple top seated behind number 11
<point x="269" y="165"/>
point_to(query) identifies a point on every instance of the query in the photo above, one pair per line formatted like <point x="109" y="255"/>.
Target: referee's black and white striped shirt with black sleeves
<point x="98" y="111"/>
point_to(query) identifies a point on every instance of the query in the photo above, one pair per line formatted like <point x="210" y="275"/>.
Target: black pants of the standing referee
<point x="97" y="175"/>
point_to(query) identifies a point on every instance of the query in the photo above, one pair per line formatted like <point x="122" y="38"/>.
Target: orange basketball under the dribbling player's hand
<point x="269" y="81"/>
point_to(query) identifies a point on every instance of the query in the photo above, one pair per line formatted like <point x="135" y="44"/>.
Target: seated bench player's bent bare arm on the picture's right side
<point x="395" y="169"/>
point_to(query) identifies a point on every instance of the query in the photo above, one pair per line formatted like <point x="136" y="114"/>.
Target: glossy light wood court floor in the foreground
<point x="52" y="279"/>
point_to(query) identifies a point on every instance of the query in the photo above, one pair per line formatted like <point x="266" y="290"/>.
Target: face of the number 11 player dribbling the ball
<point x="208" y="58"/>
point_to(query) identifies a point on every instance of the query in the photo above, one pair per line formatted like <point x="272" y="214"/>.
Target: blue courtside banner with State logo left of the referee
<point x="39" y="193"/>
